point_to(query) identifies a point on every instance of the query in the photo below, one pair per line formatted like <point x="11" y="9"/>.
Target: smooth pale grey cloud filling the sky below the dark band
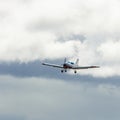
<point x="38" y="98"/>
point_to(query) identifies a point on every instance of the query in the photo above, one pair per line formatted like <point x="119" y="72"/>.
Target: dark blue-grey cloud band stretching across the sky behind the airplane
<point x="35" y="69"/>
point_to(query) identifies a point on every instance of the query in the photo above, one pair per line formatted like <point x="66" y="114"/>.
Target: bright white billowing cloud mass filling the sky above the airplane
<point x="30" y="30"/>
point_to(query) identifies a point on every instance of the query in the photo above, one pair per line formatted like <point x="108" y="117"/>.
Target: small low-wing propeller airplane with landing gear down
<point x="69" y="65"/>
